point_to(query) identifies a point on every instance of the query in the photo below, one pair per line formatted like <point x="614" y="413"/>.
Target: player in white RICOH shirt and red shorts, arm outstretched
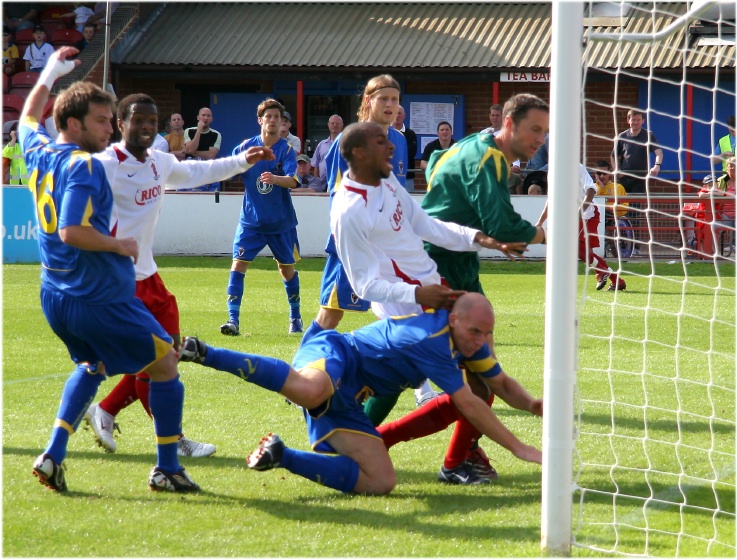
<point x="139" y="176"/>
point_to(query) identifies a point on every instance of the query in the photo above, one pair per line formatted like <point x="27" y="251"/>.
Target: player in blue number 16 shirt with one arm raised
<point x="87" y="275"/>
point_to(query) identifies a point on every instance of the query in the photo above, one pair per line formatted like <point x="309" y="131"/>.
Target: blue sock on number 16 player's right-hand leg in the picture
<point x="167" y="402"/>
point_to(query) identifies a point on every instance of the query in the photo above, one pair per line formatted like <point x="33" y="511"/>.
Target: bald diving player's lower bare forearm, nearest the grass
<point x="483" y="418"/>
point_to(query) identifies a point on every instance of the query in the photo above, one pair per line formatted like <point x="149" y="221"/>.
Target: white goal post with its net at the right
<point x="639" y="447"/>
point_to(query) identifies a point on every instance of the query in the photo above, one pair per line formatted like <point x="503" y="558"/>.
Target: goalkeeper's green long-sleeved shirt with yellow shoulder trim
<point x="467" y="185"/>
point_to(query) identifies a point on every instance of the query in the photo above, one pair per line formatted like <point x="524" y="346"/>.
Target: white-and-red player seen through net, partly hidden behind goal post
<point x="588" y="236"/>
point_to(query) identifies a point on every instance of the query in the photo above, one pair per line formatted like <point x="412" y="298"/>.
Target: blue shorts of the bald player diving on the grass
<point x="329" y="351"/>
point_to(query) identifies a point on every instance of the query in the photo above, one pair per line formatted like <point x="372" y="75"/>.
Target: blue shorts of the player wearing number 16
<point x="124" y="336"/>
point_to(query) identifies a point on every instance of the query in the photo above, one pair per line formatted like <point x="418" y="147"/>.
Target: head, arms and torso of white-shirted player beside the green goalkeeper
<point x="379" y="231"/>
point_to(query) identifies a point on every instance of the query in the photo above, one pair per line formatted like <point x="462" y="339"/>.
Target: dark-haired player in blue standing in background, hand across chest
<point x="267" y="217"/>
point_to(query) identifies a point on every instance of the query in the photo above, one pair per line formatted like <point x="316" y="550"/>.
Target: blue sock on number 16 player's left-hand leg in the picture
<point x="78" y="394"/>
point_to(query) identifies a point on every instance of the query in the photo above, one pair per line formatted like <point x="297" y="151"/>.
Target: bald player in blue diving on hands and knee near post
<point x="332" y="373"/>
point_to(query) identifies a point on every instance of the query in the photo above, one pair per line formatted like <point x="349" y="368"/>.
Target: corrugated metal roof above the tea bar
<point x="384" y="35"/>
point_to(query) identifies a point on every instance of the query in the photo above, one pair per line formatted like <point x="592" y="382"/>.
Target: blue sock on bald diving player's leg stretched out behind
<point x="269" y="373"/>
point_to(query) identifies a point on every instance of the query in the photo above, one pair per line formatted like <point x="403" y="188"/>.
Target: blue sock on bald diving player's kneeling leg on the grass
<point x="334" y="471"/>
